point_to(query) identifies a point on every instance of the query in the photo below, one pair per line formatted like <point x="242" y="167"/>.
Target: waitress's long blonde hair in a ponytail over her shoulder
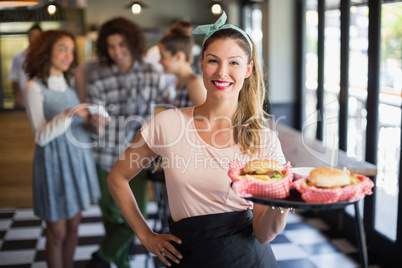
<point x="250" y="117"/>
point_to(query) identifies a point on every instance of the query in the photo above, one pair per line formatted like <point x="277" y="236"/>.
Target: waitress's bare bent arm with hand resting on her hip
<point x="130" y="163"/>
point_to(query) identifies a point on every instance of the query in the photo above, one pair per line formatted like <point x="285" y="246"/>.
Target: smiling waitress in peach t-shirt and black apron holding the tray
<point x="210" y="226"/>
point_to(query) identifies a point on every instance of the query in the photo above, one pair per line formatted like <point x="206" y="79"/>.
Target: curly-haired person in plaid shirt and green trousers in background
<point x="129" y="89"/>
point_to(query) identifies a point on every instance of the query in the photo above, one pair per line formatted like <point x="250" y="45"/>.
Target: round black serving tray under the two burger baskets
<point x="294" y="200"/>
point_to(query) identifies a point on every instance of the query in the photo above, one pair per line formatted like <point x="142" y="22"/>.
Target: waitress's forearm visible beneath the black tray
<point x="267" y="222"/>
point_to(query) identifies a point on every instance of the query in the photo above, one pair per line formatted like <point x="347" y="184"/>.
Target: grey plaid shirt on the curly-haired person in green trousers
<point x="130" y="99"/>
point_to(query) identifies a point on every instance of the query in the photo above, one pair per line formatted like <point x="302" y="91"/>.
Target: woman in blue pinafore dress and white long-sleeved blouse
<point x="64" y="175"/>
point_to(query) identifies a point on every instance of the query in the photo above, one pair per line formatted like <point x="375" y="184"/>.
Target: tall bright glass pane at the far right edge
<point x="390" y="121"/>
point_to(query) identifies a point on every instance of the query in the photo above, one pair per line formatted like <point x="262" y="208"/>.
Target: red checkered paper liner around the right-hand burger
<point x="312" y="194"/>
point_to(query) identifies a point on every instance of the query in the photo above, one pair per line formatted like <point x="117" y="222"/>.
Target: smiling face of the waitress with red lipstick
<point x="225" y="66"/>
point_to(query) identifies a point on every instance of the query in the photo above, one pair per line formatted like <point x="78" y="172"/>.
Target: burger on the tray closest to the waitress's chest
<point x="263" y="169"/>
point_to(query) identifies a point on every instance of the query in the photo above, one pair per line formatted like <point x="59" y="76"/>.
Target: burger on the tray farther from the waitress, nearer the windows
<point x="328" y="177"/>
